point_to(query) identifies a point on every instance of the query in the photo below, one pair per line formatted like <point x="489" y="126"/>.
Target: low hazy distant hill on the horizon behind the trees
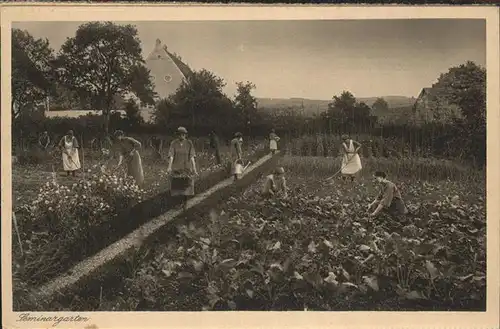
<point x="312" y="106"/>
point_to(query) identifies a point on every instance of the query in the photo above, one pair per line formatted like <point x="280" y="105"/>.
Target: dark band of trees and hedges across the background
<point x="200" y="103"/>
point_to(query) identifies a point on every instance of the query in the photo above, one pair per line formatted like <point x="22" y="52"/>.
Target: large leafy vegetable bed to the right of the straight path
<point x="316" y="250"/>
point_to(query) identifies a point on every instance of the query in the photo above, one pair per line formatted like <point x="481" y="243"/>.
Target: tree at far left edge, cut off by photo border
<point x="32" y="75"/>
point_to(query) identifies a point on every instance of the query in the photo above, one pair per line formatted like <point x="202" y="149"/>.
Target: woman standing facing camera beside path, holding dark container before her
<point x="182" y="167"/>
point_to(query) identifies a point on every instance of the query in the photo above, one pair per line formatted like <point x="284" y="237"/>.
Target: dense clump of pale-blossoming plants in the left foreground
<point x="72" y="209"/>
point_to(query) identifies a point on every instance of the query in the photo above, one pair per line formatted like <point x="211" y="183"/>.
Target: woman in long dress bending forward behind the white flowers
<point x="127" y="149"/>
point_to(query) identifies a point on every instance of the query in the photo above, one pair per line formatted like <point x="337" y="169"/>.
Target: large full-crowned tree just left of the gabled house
<point x="104" y="60"/>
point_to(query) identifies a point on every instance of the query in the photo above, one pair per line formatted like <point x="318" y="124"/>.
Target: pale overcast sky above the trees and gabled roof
<point x="310" y="59"/>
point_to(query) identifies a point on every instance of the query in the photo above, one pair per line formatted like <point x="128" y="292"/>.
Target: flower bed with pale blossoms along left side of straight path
<point x="65" y="224"/>
